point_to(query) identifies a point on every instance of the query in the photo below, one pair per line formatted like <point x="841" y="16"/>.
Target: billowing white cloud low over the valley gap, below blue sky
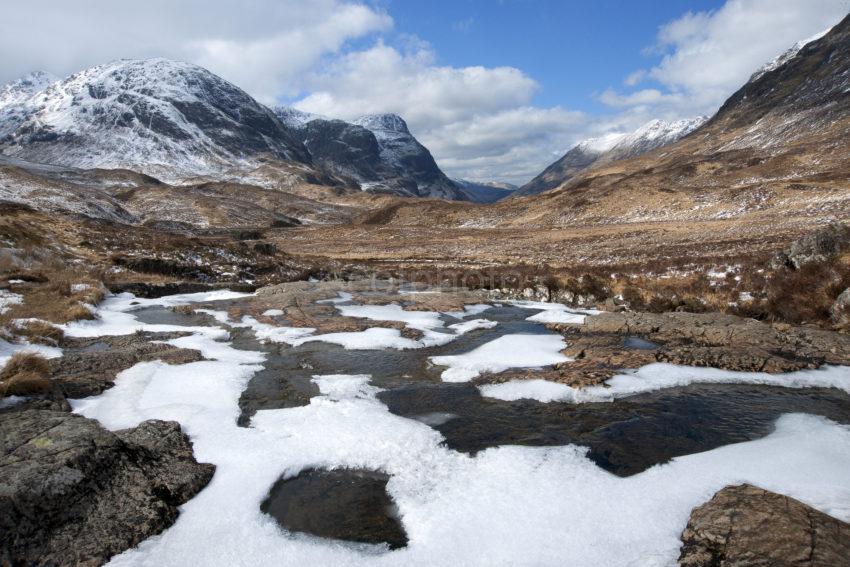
<point x="477" y="121"/>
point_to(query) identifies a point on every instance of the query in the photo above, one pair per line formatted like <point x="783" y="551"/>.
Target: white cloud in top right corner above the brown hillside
<point x="706" y="56"/>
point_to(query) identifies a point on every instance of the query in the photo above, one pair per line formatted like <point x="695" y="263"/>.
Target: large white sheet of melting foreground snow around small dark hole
<point x="507" y="505"/>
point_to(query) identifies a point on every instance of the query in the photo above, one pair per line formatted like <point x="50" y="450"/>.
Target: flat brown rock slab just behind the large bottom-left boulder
<point x="89" y="366"/>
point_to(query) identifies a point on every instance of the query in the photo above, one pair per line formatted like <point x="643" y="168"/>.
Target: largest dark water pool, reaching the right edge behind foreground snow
<point x="626" y="436"/>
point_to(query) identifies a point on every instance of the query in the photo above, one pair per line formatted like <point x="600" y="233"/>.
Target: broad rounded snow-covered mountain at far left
<point x="161" y="117"/>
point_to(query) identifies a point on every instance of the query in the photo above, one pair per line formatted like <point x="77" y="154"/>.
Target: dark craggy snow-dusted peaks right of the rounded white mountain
<point x="376" y="151"/>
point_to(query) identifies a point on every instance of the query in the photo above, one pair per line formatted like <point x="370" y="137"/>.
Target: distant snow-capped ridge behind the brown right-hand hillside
<point x="610" y="147"/>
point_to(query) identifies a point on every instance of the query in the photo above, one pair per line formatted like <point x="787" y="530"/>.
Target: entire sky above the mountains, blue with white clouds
<point x="496" y="89"/>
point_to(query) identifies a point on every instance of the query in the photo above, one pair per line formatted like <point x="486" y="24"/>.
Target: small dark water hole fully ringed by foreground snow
<point x="345" y="504"/>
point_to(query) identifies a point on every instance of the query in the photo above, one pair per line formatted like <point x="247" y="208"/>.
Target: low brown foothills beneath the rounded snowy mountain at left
<point x="131" y="198"/>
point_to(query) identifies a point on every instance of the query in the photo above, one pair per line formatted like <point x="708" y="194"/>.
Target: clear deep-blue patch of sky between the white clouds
<point x="573" y="49"/>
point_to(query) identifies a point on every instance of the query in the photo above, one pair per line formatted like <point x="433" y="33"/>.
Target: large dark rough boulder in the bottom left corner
<point x="75" y="493"/>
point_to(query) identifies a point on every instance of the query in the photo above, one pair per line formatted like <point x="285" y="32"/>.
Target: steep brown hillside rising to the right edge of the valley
<point x="777" y="147"/>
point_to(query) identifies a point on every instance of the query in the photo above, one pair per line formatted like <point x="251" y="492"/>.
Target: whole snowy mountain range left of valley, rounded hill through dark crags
<point x="177" y="121"/>
